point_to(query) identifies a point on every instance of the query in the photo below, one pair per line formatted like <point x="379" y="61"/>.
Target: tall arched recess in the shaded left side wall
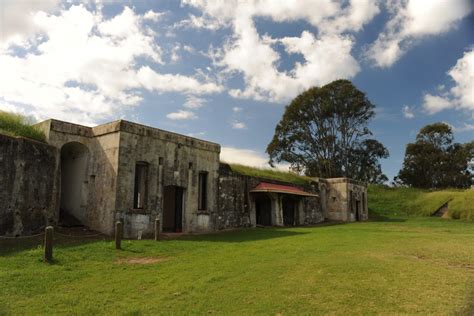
<point x="74" y="164"/>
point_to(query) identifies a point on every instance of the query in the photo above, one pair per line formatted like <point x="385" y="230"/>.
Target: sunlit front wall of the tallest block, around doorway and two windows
<point x="182" y="158"/>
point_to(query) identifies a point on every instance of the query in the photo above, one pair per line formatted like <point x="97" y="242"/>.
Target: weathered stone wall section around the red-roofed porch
<point x="237" y="205"/>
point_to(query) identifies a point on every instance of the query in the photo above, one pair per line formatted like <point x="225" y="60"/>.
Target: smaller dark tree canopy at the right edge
<point x="435" y="161"/>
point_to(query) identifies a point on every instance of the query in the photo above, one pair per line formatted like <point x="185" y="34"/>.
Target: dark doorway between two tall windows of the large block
<point x="173" y="209"/>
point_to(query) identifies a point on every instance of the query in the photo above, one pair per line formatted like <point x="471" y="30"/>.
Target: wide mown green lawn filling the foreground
<point x="419" y="265"/>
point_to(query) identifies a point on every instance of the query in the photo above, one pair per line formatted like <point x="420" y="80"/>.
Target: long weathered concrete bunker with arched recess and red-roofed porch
<point x="121" y="170"/>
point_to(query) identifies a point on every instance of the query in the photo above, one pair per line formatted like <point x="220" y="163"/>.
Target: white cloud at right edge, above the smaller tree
<point x="461" y="95"/>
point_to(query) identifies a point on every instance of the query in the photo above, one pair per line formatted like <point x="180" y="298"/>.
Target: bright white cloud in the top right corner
<point x="412" y="20"/>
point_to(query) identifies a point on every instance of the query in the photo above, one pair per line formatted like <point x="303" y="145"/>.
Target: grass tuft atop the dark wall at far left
<point x="18" y="125"/>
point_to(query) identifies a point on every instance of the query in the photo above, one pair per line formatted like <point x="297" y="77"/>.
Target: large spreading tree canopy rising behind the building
<point x="324" y="132"/>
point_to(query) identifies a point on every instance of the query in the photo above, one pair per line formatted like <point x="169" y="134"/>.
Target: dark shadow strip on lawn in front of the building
<point x="245" y="235"/>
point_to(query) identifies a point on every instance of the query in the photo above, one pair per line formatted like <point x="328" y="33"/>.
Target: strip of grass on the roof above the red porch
<point x="270" y="174"/>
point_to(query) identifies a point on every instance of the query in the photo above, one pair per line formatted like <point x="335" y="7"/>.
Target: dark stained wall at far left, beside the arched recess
<point x="29" y="179"/>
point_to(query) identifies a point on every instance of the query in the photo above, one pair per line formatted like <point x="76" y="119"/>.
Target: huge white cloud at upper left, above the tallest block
<point x="84" y="69"/>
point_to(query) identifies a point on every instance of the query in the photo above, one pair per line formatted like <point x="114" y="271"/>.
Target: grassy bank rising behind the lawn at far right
<point x="388" y="201"/>
